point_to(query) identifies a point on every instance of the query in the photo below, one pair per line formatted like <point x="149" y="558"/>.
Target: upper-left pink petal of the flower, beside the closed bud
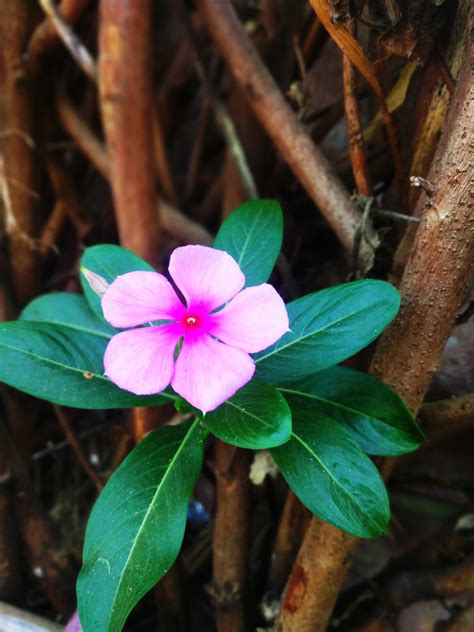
<point x="140" y="297"/>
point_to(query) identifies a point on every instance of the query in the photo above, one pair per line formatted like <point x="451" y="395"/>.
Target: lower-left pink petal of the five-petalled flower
<point x="142" y="360"/>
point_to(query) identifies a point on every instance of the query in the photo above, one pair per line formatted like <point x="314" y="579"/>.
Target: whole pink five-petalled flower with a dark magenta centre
<point x="213" y="362"/>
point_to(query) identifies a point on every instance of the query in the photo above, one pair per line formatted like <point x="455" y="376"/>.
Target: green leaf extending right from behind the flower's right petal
<point x="327" y="327"/>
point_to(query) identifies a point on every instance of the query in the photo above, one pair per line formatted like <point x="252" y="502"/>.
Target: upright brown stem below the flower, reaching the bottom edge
<point x="230" y="538"/>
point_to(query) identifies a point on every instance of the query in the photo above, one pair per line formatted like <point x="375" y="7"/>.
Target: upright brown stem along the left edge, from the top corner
<point x="20" y="164"/>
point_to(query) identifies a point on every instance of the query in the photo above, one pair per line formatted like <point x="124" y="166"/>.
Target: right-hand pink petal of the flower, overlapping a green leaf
<point x="252" y="321"/>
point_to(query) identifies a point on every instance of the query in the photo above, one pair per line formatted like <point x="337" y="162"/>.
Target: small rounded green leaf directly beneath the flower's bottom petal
<point x="257" y="417"/>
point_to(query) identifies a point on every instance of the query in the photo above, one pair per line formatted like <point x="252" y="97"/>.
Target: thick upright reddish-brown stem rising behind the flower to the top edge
<point x="126" y="100"/>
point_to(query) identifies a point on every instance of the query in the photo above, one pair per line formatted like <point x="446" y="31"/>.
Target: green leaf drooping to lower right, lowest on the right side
<point x="331" y="475"/>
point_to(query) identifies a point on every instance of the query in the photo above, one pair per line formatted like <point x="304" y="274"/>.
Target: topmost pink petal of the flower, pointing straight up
<point x="205" y="276"/>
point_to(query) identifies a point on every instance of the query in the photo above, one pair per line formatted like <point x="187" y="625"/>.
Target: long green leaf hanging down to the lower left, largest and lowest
<point x="137" y="525"/>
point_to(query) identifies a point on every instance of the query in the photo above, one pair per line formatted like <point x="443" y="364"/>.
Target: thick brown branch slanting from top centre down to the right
<point x="278" y="119"/>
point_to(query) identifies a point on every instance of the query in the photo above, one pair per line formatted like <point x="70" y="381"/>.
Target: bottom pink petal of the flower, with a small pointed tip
<point x="208" y="372"/>
